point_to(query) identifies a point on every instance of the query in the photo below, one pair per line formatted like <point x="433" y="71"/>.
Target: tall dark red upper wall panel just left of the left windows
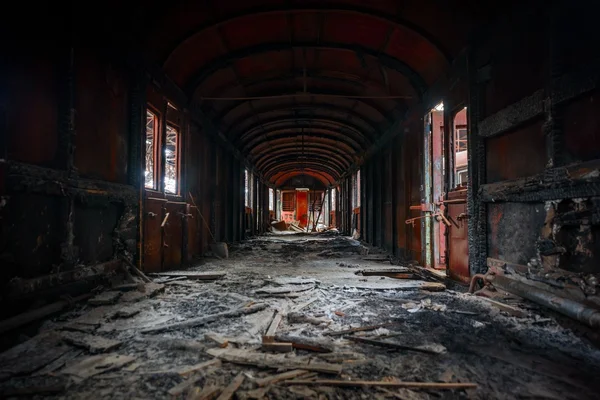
<point x="102" y="118"/>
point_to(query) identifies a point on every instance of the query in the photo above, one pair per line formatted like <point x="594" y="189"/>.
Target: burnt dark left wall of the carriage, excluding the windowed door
<point x="72" y="128"/>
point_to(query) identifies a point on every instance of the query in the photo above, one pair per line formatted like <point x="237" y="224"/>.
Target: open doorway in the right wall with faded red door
<point x="444" y="201"/>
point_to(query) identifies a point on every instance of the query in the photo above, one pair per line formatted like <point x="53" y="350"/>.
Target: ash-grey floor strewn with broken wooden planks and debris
<point x="280" y="316"/>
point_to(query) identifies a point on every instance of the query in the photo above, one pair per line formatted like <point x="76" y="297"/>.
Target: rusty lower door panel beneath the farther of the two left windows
<point x="173" y="236"/>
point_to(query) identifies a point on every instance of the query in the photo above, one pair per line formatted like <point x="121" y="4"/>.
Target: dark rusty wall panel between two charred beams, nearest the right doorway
<point x="518" y="154"/>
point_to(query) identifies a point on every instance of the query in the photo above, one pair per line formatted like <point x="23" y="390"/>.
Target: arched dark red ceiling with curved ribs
<point x="306" y="87"/>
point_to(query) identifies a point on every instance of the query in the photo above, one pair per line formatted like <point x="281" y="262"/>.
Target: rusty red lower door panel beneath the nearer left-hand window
<point x="153" y="216"/>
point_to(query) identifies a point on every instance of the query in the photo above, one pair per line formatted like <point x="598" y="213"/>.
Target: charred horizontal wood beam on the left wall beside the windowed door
<point x="34" y="179"/>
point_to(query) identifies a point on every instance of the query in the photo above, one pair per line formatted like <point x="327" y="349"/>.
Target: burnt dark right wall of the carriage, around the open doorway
<point x="530" y="82"/>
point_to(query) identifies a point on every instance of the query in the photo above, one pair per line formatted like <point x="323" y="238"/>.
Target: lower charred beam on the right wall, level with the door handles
<point x="575" y="181"/>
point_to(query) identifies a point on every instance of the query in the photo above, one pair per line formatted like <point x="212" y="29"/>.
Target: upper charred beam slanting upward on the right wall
<point x="564" y="88"/>
